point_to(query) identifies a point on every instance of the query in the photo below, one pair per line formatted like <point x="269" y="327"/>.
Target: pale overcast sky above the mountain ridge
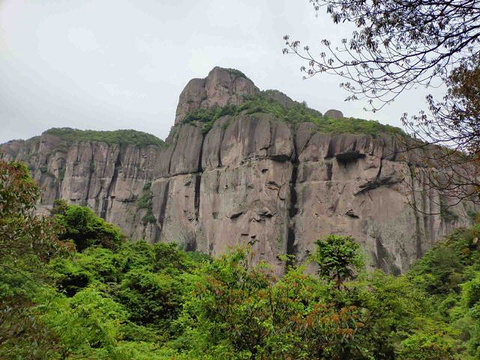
<point x="121" y="64"/>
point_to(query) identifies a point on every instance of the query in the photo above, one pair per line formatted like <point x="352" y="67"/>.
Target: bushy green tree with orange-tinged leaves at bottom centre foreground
<point x="242" y="312"/>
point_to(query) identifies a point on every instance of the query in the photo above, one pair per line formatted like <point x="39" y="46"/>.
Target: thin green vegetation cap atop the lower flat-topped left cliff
<point x="129" y="137"/>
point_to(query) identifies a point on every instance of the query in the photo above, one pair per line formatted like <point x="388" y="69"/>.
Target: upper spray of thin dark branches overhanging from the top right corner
<point x="395" y="46"/>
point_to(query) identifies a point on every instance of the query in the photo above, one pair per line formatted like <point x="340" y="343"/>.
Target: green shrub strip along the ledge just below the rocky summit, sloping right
<point x="296" y="114"/>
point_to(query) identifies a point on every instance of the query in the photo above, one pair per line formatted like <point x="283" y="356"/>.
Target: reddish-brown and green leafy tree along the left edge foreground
<point x="26" y="243"/>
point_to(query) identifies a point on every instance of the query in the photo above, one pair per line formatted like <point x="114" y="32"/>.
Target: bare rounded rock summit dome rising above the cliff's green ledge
<point x="221" y="87"/>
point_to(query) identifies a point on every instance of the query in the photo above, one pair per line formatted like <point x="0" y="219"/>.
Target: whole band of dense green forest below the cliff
<point x="72" y="288"/>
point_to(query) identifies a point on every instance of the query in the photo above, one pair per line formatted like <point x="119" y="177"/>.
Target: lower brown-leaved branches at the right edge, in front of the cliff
<point x="454" y="125"/>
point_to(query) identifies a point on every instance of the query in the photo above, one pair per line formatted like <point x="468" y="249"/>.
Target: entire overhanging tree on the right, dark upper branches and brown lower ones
<point x="402" y="44"/>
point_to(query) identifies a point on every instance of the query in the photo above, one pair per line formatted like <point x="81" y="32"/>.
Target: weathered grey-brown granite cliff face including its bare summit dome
<point x="251" y="178"/>
